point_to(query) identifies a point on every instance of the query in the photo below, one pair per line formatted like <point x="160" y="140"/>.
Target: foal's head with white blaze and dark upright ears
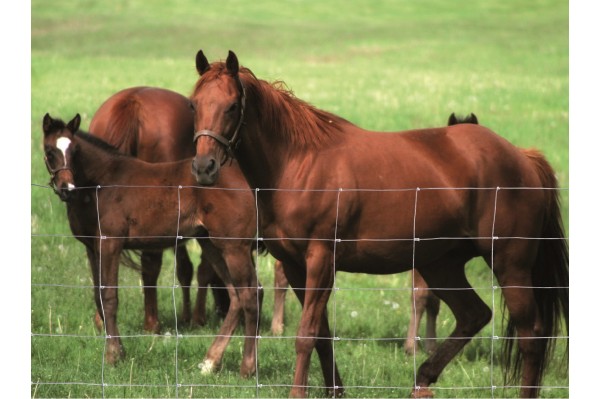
<point x="58" y="152"/>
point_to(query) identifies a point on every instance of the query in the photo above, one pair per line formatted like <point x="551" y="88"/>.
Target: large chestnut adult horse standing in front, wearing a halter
<point x="335" y="197"/>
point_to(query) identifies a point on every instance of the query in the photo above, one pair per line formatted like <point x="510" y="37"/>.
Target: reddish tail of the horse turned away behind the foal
<point x="124" y="125"/>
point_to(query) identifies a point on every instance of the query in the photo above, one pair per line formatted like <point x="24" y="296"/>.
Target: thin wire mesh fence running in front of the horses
<point x="184" y="388"/>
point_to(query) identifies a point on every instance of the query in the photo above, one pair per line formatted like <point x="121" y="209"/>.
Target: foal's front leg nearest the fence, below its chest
<point x="107" y="296"/>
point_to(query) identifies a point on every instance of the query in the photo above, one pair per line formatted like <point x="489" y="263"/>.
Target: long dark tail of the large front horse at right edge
<point x="550" y="273"/>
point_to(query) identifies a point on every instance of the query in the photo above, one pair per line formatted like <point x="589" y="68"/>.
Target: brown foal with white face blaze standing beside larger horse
<point x="120" y="202"/>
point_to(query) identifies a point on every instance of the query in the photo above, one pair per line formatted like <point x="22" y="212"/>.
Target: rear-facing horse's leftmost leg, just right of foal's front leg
<point x="151" y="265"/>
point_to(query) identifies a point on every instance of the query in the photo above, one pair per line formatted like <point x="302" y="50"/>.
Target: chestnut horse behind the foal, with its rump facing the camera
<point x="156" y="125"/>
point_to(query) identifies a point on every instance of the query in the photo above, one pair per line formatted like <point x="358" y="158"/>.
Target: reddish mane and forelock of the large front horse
<point x="294" y="120"/>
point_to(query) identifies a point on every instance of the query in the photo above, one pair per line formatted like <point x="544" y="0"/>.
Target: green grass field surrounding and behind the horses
<point x="387" y="65"/>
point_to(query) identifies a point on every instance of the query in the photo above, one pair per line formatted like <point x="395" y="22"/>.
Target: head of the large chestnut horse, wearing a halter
<point x="218" y="102"/>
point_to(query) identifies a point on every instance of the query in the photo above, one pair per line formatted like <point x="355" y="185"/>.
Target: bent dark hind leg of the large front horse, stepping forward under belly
<point x="470" y="312"/>
